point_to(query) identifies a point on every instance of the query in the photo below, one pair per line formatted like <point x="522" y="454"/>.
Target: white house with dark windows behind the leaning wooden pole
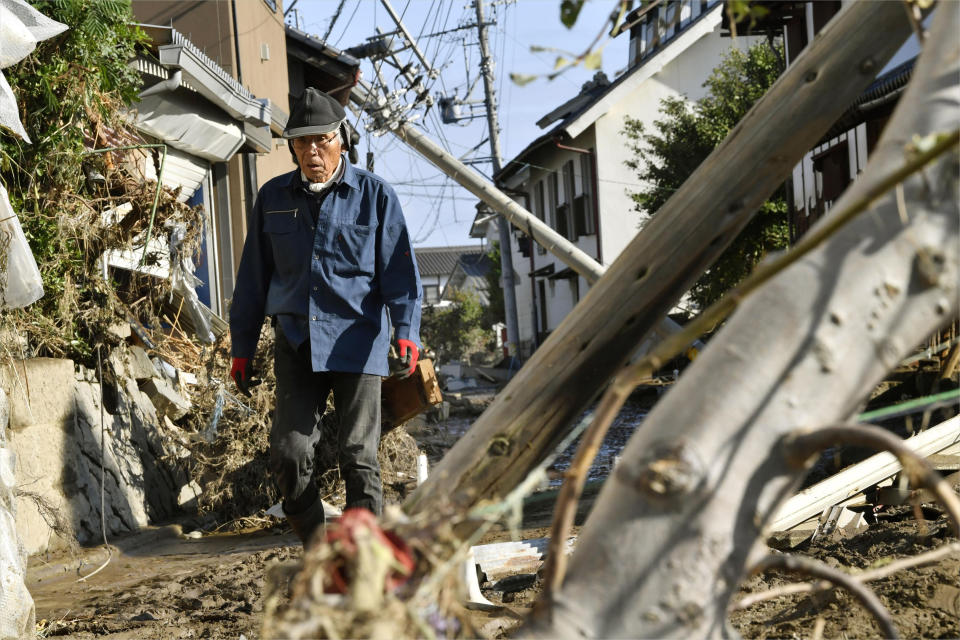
<point x="574" y="176"/>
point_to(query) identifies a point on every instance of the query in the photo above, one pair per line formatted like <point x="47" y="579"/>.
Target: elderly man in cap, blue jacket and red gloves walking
<point x="327" y="257"/>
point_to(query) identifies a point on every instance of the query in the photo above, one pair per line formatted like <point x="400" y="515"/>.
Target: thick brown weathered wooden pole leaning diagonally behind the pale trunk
<point x="531" y="415"/>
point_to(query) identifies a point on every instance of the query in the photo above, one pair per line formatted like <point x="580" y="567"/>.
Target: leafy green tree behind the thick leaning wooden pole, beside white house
<point x="684" y="136"/>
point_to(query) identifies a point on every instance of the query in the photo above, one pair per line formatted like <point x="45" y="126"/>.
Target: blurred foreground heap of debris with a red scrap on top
<point x="394" y="589"/>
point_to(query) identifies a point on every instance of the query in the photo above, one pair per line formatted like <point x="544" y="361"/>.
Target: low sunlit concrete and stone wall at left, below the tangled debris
<point x="61" y="435"/>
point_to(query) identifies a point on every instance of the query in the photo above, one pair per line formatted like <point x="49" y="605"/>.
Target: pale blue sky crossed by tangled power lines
<point x="438" y="211"/>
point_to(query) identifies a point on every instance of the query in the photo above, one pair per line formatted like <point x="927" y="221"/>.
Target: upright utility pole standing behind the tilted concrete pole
<point x="506" y="252"/>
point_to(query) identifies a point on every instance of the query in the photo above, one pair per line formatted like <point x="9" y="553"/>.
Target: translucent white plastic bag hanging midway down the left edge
<point x="20" y="282"/>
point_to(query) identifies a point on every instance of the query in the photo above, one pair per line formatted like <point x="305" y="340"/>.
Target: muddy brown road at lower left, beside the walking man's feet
<point x="160" y="584"/>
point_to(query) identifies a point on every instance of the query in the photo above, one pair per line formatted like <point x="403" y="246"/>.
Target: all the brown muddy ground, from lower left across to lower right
<point x="162" y="583"/>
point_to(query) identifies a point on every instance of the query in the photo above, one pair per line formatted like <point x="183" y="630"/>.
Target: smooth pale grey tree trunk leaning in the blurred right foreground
<point x="802" y="352"/>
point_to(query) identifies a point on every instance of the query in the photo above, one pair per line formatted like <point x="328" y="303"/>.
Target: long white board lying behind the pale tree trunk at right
<point x="858" y="477"/>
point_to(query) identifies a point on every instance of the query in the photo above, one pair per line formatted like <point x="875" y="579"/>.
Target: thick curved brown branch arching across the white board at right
<point x="799" y="447"/>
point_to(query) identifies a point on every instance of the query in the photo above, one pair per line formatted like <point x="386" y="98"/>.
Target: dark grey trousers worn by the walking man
<point x="301" y="401"/>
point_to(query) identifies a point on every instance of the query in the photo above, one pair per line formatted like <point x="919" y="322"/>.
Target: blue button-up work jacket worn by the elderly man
<point x="338" y="278"/>
